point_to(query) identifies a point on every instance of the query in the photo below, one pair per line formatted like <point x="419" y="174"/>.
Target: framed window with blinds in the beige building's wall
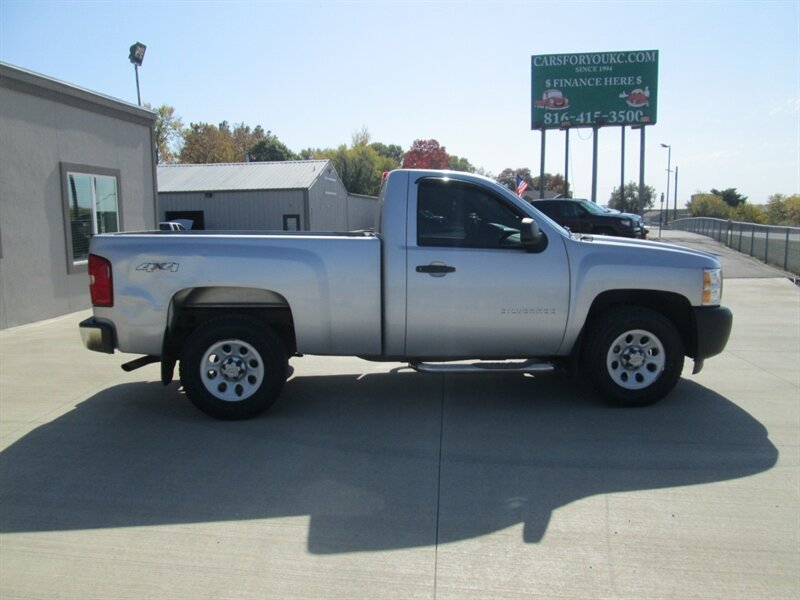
<point x="91" y="206"/>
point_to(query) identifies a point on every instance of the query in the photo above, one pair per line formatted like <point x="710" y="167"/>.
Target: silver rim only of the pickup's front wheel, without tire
<point x="636" y="359"/>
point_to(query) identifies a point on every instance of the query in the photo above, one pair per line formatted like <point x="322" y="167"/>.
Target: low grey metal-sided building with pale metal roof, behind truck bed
<point x="285" y="196"/>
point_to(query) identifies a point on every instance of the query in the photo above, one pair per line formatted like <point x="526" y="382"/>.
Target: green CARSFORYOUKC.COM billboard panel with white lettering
<point x="594" y="89"/>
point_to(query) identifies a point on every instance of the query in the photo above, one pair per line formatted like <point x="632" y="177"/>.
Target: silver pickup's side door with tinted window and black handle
<point x="472" y="290"/>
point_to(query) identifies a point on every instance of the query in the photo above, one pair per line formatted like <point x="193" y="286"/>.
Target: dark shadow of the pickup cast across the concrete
<point x="377" y="462"/>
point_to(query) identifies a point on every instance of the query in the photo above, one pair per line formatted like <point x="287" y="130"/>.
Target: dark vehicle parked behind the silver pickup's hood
<point x="583" y="216"/>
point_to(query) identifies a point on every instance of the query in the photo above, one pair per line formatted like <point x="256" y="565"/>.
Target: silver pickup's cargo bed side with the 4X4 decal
<point x="331" y="281"/>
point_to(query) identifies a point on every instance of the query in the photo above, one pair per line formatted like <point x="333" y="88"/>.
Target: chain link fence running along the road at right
<point x="775" y="245"/>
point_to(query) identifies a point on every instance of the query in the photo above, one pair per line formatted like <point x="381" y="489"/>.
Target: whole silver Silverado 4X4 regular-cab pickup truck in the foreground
<point x="459" y="275"/>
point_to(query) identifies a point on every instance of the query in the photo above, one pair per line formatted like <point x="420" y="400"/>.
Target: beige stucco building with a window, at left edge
<point x="72" y="163"/>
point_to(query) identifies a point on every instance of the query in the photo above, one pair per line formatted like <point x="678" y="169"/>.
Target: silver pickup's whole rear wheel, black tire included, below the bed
<point x="233" y="367"/>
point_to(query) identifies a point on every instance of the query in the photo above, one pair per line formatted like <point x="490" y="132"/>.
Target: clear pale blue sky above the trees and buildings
<point x="315" y="73"/>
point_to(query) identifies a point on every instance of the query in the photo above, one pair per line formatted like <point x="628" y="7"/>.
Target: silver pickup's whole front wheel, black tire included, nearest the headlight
<point x="633" y="356"/>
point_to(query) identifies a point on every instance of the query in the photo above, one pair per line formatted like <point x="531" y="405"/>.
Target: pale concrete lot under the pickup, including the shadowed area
<point x="369" y="481"/>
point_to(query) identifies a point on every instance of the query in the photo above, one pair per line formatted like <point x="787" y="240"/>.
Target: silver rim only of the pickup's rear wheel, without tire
<point x="232" y="370"/>
